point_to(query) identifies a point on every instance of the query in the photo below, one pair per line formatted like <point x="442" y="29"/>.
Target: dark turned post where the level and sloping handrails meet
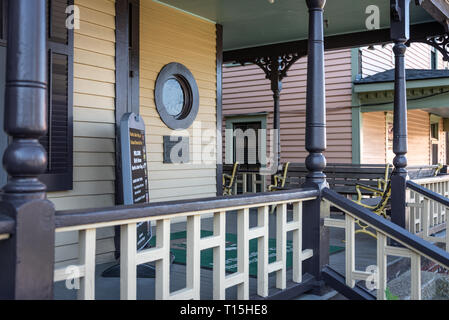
<point x="315" y="235"/>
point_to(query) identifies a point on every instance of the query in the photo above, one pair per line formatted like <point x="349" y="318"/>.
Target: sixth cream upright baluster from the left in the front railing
<point x="243" y="252"/>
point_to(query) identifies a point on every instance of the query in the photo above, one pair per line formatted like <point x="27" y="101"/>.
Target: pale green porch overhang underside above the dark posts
<point x="255" y="27"/>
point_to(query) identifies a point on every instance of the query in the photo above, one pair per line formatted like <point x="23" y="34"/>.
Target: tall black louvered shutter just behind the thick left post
<point x="59" y="139"/>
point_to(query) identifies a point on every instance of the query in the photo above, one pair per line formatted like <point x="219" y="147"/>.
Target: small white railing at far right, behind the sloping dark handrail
<point x="427" y="216"/>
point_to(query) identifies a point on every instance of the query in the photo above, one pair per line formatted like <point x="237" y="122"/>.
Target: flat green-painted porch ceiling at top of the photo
<point x="250" y="23"/>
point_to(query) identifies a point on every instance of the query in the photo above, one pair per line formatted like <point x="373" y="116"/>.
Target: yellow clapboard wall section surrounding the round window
<point x="168" y="35"/>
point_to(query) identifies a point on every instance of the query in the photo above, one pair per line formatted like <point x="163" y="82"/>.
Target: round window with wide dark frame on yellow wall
<point x="176" y="96"/>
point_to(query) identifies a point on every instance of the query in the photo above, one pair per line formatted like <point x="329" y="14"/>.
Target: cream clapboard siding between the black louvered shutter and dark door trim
<point x="93" y="126"/>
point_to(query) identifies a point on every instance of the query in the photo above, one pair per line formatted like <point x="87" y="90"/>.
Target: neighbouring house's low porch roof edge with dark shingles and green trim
<point x="427" y="90"/>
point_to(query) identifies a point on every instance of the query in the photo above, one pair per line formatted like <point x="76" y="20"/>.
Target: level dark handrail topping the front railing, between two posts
<point x="71" y="218"/>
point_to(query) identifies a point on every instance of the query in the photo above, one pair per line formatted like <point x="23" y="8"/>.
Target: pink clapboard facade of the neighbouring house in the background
<point x="357" y="123"/>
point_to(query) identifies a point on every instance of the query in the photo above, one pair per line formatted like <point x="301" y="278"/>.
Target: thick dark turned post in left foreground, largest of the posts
<point x="27" y="257"/>
